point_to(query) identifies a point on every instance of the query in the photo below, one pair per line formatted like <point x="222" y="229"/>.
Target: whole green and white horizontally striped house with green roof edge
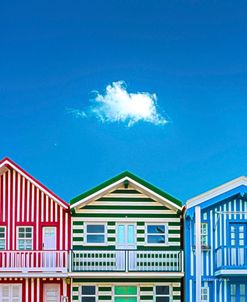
<point x="126" y="243"/>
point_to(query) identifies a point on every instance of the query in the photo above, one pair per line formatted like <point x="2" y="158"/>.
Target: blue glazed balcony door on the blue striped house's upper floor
<point x="238" y="242"/>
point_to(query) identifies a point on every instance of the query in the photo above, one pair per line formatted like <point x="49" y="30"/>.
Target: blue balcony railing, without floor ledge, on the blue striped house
<point x="231" y="258"/>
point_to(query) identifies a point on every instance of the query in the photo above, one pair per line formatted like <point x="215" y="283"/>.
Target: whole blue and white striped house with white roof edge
<point x="216" y="244"/>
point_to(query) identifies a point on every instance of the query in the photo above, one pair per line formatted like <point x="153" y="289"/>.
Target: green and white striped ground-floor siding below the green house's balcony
<point x="146" y="290"/>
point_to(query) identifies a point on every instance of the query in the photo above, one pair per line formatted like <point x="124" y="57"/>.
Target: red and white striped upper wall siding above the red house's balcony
<point x="24" y="204"/>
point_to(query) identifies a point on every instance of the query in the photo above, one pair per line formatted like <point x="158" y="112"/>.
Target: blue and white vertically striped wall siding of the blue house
<point x="217" y="237"/>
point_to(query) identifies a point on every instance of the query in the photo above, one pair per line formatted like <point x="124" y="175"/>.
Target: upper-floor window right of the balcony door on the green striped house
<point x="156" y="234"/>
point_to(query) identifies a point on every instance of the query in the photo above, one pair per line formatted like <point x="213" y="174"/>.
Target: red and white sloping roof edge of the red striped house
<point x="7" y="163"/>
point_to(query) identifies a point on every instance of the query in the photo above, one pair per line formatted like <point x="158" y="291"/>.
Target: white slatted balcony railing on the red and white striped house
<point x="33" y="261"/>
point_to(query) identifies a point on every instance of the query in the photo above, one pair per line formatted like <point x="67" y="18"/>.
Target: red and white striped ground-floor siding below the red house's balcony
<point x="33" y="288"/>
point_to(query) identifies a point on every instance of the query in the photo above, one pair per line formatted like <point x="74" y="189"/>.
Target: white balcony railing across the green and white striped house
<point x="126" y="261"/>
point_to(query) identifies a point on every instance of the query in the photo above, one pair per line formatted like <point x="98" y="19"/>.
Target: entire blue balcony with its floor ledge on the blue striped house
<point x="231" y="260"/>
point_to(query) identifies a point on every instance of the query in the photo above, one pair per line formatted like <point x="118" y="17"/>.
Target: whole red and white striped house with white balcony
<point x="34" y="239"/>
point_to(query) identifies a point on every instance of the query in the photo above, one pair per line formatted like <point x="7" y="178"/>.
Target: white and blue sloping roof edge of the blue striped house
<point x="233" y="187"/>
